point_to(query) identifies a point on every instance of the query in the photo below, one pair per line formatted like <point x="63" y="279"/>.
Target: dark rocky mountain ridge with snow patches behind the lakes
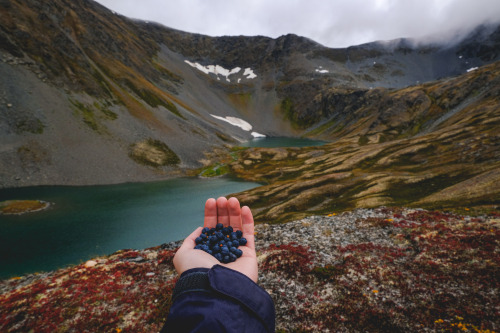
<point x="91" y="97"/>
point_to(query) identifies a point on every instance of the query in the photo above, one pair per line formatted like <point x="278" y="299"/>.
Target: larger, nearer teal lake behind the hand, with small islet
<point x="85" y="222"/>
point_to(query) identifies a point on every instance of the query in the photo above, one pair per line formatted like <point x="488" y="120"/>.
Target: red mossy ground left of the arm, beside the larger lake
<point x="113" y="295"/>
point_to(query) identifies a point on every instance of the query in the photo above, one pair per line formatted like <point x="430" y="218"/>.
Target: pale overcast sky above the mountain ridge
<point x="333" y="23"/>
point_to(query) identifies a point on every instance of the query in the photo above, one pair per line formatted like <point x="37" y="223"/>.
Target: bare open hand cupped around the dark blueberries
<point x="229" y="213"/>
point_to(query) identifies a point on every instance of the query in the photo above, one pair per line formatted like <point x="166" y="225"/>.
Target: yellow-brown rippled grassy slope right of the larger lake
<point x="452" y="159"/>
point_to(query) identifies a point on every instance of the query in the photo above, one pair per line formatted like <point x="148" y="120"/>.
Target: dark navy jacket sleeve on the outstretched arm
<point x="219" y="300"/>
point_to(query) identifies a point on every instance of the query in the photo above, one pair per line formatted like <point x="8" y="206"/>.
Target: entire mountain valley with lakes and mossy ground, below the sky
<point x="389" y="221"/>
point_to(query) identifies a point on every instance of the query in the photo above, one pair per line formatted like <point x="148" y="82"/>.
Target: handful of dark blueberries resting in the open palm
<point x="221" y="242"/>
